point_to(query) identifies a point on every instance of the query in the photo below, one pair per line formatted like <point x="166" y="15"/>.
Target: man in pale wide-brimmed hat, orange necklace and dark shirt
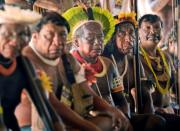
<point x="13" y="37"/>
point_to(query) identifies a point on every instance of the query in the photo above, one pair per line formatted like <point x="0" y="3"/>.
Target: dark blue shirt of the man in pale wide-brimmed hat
<point x="10" y="92"/>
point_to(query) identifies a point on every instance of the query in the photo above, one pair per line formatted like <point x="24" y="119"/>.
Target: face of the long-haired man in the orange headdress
<point x="125" y="37"/>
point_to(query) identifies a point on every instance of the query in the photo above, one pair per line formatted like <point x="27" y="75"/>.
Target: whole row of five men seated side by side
<point x="85" y="88"/>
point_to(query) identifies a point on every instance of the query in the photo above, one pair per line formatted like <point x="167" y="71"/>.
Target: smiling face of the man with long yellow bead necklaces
<point x="150" y="34"/>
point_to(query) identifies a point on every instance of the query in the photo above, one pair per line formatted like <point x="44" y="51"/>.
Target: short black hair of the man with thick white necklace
<point x="54" y="18"/>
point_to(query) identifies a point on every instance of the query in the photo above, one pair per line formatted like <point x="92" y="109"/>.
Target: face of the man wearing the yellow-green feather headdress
<point x="90" y="43"/>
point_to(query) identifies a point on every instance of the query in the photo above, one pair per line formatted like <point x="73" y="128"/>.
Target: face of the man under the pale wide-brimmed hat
<point x="12" y="39"/>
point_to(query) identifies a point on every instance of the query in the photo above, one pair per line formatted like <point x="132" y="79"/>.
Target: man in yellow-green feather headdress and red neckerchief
<point x="88" y="38"/>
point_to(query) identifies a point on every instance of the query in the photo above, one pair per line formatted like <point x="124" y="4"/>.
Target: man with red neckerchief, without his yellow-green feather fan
<point x="100" y="71"/>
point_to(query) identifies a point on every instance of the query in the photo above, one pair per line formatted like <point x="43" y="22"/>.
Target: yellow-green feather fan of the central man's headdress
<point x="77" y="15"/>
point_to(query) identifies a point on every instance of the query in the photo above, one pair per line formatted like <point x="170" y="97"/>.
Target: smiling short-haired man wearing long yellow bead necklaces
<point x="157" y="67"/>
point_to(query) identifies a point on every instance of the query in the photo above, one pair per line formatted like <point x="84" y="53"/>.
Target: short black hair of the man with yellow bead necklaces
<point x="150" y="18"/>
